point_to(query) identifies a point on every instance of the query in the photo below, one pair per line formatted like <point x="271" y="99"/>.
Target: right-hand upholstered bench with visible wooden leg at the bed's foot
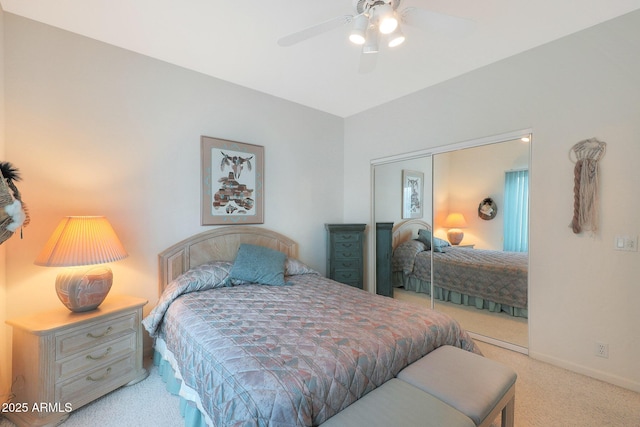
<point x="478" y="387"/>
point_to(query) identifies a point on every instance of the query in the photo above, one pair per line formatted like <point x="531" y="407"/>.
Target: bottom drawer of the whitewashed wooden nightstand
<point x="97" y="382"/>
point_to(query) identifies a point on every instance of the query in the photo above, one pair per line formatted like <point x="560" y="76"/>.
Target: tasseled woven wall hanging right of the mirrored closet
<point x="586" y="153"/>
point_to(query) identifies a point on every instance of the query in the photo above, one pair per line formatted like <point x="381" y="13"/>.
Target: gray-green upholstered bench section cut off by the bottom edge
<point x="397" y="403"/>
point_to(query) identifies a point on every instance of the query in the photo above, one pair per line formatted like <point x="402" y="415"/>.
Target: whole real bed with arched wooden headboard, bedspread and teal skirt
<point x="285" y="354"/>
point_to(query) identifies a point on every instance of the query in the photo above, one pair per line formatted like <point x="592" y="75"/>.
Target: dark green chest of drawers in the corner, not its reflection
<point x="345" y="252"/>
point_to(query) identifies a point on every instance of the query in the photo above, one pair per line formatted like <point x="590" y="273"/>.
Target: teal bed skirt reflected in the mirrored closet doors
<point x="412" y="283"/>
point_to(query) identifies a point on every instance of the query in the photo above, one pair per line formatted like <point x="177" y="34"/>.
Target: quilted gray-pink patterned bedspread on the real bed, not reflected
<point x="293" y="355"/>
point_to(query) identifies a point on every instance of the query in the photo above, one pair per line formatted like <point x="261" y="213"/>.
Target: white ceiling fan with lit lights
<point x="379" y="20"/>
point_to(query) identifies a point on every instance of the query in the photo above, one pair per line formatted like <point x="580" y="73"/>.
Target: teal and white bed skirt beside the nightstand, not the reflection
<point x="190" y="406"/>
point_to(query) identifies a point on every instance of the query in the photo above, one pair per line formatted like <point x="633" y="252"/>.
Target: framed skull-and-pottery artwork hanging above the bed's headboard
<point x="232" y="182"/>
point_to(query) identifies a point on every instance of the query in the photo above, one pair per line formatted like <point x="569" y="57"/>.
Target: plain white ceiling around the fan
<point x="237" y="41"/>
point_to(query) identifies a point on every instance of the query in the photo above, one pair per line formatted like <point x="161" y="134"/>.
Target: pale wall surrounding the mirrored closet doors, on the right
<point x="585" y="85"/>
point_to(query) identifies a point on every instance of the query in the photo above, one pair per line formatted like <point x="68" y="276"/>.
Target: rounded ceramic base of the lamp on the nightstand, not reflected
<point x="84" y="289"/>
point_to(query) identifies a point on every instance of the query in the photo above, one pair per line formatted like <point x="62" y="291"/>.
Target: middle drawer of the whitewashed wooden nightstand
<point x="96" y="356"/>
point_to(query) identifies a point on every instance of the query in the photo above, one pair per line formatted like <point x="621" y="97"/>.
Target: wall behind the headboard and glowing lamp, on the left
<point x="96" y="129"/>
